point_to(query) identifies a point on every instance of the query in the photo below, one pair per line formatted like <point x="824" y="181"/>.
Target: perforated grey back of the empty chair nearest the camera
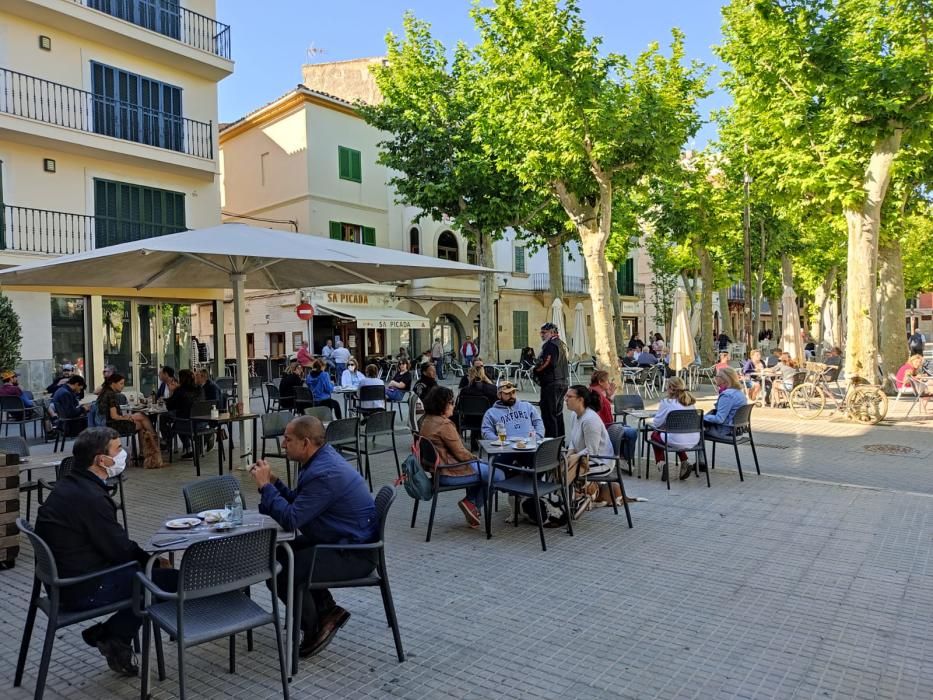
<point x="227" y="564"/>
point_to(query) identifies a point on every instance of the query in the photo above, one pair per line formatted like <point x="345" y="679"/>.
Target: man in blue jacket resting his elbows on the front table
<point x="330" y="504"/>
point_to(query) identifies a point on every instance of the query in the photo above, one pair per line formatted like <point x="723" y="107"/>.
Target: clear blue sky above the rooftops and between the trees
<point x="270" y="46"/>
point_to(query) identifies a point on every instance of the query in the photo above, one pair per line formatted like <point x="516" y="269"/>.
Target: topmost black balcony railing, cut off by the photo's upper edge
<point x="169" y="19"/>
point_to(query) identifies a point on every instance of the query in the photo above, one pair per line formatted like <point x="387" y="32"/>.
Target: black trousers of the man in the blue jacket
<point x="330" y="566"/>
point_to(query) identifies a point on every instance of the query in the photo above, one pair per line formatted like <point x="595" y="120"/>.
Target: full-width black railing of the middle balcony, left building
<point x="53" y="103"/>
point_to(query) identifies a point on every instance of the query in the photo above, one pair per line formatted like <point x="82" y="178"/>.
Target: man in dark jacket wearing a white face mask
<point x="79" y="523"/>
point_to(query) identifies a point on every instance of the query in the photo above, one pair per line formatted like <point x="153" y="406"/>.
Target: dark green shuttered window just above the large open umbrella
<point x="125" y="212"/>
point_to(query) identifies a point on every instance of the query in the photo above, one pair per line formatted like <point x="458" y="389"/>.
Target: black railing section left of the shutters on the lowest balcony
<point x="40" y="231"/>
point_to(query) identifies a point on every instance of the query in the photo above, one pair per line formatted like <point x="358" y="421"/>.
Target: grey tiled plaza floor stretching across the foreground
<point x="814" y="580"/>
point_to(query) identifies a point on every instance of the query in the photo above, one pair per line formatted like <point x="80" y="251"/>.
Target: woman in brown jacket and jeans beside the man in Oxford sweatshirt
<point x="437" y="427"/>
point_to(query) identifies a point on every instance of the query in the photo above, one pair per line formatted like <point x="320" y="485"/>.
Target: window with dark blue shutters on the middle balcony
<point x="132" y="107"/>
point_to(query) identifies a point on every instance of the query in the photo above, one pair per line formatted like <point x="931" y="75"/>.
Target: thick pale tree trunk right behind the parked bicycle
<point x="863" y="224"/>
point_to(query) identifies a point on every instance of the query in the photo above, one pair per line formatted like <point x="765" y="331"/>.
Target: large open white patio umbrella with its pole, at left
<point x="231" y="256"/>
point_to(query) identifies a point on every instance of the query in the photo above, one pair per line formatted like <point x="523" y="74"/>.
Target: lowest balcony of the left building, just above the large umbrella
<point x="28" y="230"/>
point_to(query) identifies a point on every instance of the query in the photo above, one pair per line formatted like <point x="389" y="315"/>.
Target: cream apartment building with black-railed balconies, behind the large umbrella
<point x="108" y="134"/>
